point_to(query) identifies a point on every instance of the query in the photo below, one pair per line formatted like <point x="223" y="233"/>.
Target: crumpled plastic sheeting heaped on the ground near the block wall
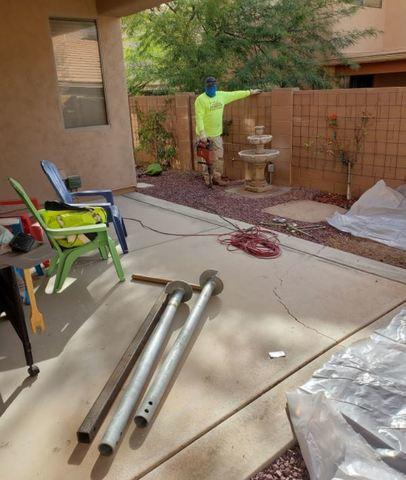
<point x="379" y="214"/>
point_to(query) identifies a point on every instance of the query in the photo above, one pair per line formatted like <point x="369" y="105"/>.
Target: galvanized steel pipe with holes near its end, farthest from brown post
<point x="211" y="285"/>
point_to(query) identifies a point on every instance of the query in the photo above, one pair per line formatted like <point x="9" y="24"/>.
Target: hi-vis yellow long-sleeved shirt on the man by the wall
<point x="209" y="111"/>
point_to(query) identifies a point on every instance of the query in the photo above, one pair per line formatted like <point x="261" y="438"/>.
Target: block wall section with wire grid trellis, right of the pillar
<point x="383" y="151"/>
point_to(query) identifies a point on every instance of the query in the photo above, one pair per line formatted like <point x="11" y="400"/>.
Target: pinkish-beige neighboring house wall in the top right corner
<point x="388" y="20"/>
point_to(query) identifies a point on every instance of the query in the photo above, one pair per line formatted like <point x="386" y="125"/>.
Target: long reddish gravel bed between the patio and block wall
<point x="187" y="188"/>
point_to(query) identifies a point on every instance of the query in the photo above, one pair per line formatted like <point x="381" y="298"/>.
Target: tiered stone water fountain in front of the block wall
<point x="257" y="161"/>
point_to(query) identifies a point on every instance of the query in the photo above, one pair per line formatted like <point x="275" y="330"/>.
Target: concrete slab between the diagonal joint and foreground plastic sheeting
<point x="255" y="435"/>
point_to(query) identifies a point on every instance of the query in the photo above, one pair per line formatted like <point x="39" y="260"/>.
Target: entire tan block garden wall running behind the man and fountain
<point x="296" y="118"/>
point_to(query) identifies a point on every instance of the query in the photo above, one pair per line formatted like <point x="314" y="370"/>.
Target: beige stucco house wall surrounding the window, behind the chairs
<point x="31" y="124"/>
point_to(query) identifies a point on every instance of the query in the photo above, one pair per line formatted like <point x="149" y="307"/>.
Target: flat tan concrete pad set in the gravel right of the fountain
<point x="304" y="210"/>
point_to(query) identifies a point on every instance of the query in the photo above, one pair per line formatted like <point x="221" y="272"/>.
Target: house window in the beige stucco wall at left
<point x="78" y="67"/>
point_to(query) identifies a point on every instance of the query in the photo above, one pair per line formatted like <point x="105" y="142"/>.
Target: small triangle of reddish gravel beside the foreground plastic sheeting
<point x="288" y="466"/>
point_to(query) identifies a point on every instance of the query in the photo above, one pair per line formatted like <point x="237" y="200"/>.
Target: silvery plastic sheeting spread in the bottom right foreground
<point x="350" y="417"/>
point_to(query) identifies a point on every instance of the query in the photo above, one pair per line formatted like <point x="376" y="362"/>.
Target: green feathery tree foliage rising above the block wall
<point x="244" y="43"/>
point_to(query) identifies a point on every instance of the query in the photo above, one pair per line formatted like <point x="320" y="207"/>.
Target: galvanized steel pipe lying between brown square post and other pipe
<point x="179" y="292"/>
